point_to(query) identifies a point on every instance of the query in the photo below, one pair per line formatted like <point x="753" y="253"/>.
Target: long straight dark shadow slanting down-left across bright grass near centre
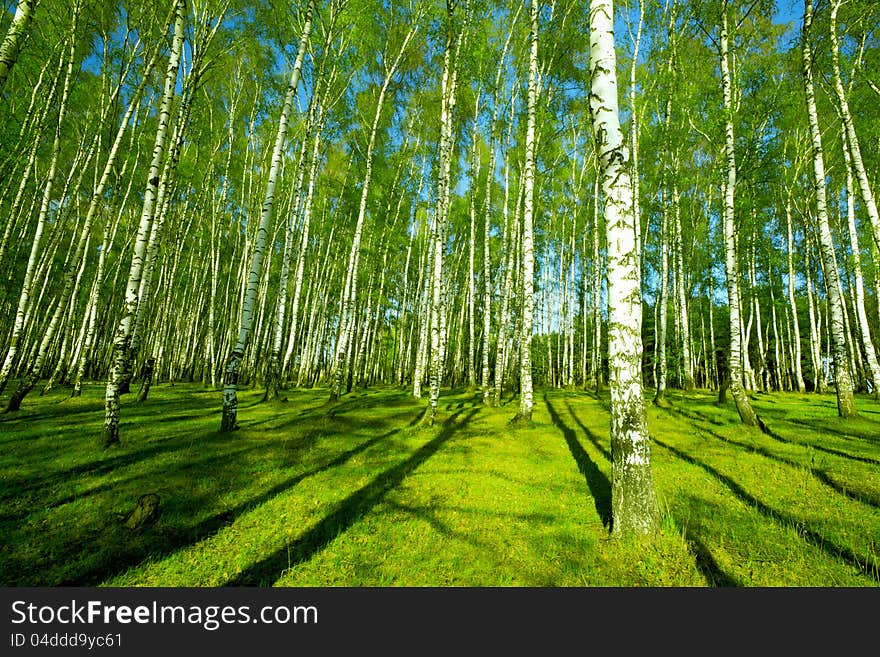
<point x="348" y="512"/>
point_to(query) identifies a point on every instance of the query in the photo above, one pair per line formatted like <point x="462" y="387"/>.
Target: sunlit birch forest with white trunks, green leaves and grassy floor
<point x="610" y="226"/>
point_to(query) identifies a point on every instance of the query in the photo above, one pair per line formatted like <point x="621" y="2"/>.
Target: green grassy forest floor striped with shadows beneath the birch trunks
<point x="358" y="493"/>
